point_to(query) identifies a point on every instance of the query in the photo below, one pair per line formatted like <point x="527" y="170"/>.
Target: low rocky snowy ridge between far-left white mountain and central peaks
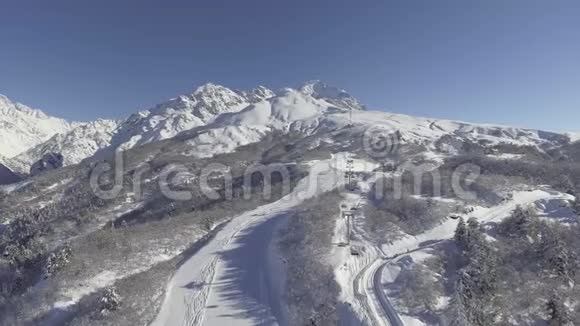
<point x="79" y="143"/>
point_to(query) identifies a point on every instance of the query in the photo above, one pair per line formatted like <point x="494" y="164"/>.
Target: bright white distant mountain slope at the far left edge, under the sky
<point x="22" y="127"/>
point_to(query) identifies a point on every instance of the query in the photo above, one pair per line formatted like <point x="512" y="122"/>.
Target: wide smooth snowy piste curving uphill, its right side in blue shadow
<point x="230" y="280"/>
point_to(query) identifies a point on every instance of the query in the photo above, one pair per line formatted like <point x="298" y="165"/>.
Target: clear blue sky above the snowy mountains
<point x="514" y="62"/>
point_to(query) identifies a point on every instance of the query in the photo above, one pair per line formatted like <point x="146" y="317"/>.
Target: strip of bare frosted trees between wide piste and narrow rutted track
<point x="312" y="292"/>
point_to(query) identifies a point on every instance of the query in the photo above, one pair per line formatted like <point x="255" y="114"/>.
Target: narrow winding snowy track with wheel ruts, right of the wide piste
<point x="363" y="277"/>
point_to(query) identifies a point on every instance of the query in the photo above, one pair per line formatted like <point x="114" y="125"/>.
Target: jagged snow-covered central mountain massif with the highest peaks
<point x="233" y="117"/>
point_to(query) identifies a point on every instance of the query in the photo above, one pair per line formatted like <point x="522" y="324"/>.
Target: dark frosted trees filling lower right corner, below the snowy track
<point x="528" y="256"/>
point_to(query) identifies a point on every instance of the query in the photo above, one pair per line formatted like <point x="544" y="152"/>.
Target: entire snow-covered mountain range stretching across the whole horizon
<point x="216" y="119"/>
